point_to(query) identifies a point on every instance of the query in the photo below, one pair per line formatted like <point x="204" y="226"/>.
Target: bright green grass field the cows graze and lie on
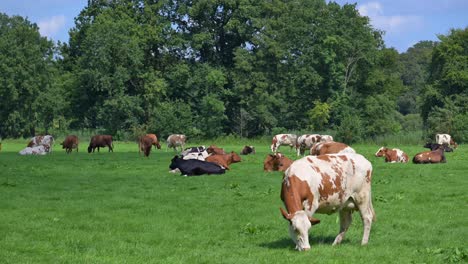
<point x="122" y="208"/>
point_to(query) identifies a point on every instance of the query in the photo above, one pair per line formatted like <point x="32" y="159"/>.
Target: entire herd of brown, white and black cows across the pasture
<point x="333" y="178"/>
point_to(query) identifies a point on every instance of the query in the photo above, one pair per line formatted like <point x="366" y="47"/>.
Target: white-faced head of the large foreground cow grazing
<point x="299" y="225"/>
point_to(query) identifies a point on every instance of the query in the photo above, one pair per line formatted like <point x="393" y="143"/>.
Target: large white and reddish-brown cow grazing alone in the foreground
<point x="327" y="184"/>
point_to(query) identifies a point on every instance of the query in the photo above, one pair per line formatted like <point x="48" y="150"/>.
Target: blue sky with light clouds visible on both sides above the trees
<point x="405" y="21"/>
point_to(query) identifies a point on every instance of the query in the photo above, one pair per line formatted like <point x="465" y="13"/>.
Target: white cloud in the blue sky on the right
<point x="391" y="24"/>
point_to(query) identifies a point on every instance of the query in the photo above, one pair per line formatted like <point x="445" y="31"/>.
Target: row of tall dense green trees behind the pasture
<point x="211" y="68"/>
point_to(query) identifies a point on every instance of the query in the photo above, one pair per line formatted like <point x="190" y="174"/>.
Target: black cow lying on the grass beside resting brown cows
<point x="195" y="167"/>
